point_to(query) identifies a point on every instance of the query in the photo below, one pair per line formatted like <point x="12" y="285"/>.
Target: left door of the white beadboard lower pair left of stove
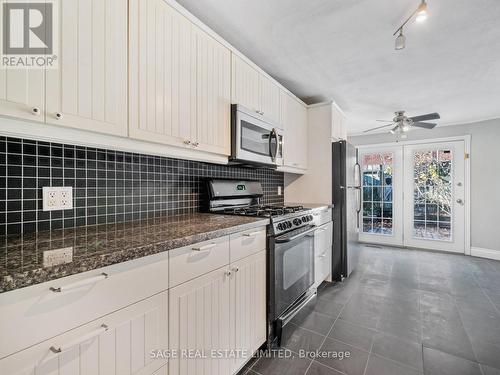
<point x="199" y="323"/>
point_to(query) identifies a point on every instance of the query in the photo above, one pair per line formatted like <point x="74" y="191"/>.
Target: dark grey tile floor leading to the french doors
<point x="401" y="312"/>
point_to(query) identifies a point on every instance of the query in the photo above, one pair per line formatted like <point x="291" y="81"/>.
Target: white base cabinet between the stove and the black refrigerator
<point x="323" y="253"/>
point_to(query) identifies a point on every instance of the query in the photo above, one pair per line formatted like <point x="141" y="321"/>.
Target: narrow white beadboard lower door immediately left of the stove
<point x="248" y="305"/>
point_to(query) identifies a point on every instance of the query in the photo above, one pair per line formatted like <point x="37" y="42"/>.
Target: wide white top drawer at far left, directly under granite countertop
<point x="37" y="313"/>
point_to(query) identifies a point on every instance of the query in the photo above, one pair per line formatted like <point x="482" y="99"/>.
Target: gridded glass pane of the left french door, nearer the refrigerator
<point x="377" y="193"/>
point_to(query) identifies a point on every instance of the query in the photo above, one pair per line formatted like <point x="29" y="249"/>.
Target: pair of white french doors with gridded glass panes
<point x="413" y="195"/>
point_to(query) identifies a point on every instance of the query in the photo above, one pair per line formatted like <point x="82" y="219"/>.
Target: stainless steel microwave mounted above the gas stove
<point x="254" y="138"/>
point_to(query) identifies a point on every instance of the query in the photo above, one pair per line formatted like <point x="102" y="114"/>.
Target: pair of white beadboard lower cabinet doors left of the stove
<point x="218" y="320"/>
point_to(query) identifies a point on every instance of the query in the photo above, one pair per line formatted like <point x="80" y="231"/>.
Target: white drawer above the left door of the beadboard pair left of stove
<point x="189" y="262"/>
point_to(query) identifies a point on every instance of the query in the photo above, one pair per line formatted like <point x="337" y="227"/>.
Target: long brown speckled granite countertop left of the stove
<point x="21" y="256"/>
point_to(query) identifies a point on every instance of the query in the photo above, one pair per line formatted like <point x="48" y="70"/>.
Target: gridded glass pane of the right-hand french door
<point x="432" y="209"/>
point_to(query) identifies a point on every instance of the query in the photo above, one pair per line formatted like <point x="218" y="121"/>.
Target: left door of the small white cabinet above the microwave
<point x="245" y="84"/>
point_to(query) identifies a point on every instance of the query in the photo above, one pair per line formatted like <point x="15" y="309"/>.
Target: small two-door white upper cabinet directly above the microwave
<point x="255" y="90"/>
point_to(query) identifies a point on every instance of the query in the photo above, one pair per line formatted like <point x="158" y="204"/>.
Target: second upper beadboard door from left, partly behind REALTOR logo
<point x="88" y="91"/>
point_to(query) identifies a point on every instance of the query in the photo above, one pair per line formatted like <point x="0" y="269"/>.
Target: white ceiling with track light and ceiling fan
<point x="343" y="50"/>
